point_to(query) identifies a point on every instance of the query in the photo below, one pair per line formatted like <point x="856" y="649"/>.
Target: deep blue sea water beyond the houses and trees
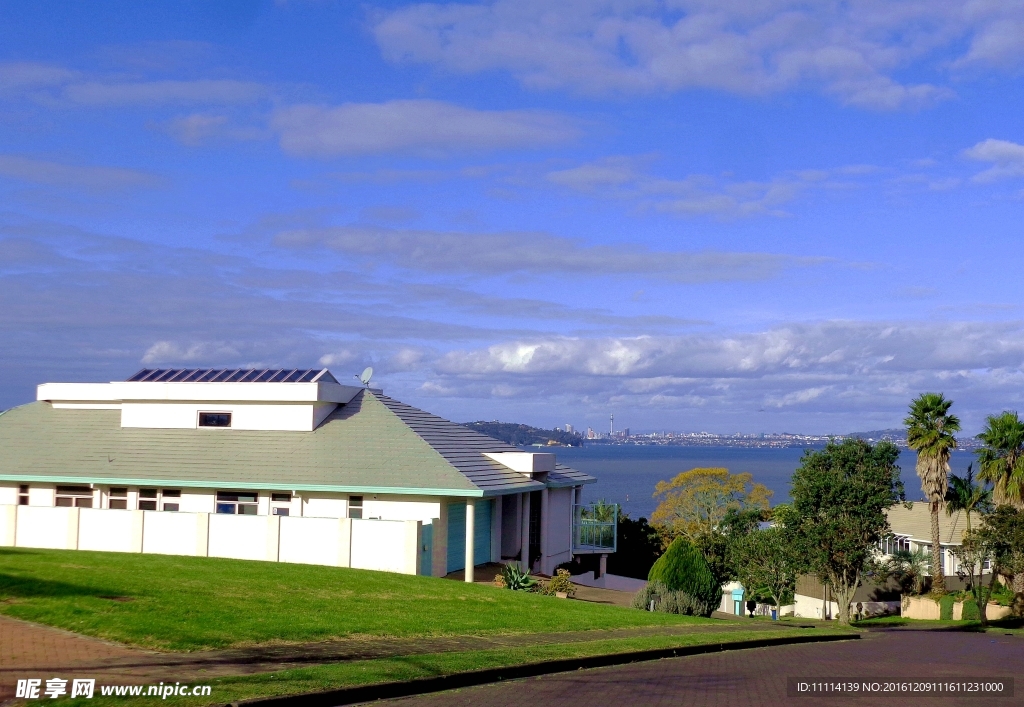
<point x="628" y="474"/>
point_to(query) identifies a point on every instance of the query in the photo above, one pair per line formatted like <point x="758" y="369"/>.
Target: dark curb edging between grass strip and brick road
<point x="422" y="686"/>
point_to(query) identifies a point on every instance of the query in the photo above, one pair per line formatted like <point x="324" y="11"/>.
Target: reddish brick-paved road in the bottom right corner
<point x="758" y="677"/>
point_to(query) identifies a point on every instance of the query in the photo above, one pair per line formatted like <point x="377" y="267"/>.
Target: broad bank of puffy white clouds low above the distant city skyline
<point x="818" y="371"/>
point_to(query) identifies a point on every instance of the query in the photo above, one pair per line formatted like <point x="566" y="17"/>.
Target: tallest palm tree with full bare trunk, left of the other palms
<point x="930" y="431"/>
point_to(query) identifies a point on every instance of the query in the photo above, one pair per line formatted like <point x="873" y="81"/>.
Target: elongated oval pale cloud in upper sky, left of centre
<point x="421" y="127"/>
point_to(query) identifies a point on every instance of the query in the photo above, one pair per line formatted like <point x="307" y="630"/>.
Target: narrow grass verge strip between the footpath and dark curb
<point x="336" y="676"/>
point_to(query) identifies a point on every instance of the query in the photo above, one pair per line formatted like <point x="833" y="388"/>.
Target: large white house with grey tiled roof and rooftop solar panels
<point x="283" y="466"/>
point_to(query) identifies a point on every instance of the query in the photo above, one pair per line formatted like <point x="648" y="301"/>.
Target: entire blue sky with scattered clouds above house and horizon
<point x="732" y="217"/>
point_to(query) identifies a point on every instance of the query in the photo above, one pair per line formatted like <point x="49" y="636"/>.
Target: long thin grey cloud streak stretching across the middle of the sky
<point x="498" y="255"/>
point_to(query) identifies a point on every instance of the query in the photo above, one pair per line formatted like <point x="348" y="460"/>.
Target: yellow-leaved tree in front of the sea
<point x="696" y="503"/>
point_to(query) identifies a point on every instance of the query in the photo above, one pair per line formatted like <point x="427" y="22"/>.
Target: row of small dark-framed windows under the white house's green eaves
<point x="234" y="503"/>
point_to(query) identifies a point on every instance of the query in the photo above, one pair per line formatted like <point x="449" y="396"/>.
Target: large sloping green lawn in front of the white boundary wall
<point x="186" y="604"/>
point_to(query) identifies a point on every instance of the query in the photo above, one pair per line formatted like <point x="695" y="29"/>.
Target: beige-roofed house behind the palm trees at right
<point x="911" y="530"/>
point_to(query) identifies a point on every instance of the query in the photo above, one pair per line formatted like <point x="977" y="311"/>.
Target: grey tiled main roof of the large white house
<point x="372" y="445"/>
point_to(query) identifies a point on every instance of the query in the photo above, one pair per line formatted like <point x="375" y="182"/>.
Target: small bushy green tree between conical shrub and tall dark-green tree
<point x="766" y="563"/>
